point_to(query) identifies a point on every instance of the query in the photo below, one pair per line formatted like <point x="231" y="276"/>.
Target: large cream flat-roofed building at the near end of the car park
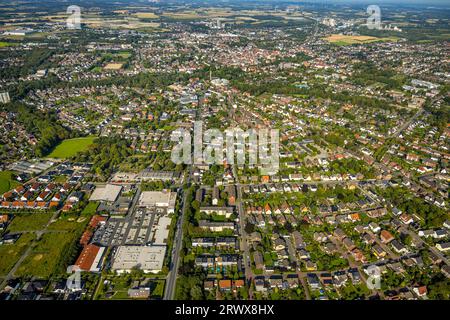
<point x="148" y="259"/>
